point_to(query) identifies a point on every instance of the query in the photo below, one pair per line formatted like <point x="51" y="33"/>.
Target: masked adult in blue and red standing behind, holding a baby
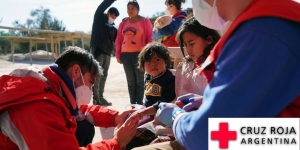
<point x="175" y="11"/>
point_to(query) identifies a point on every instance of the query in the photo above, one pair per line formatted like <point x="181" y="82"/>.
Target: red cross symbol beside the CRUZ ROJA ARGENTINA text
<point x="223" y="135"/>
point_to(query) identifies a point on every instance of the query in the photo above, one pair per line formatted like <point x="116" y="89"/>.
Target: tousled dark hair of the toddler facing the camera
<point x="153" y="48"/>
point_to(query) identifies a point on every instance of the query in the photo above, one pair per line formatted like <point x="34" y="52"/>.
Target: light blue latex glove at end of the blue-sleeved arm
<point x="166" y="112"/>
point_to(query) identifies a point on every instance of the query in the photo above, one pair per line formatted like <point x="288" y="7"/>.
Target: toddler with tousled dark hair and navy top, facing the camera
<point x="154" y="59"/>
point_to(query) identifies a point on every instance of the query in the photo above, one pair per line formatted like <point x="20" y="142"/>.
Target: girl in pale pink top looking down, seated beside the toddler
<point x="198" y="41"/>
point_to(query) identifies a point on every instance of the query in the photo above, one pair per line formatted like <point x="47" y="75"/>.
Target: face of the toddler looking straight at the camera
<point x="155" y="66"/>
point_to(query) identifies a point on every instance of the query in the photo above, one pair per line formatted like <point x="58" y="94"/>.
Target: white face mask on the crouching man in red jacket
<point x="83" y="93"/>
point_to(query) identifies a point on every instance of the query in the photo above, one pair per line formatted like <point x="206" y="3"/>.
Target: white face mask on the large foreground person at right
<point x="208" y="15"/>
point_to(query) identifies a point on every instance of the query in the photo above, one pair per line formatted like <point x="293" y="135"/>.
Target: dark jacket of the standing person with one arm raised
<point x="103" y="33"/>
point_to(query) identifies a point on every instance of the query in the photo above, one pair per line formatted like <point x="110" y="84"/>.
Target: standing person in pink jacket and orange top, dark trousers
<point x="134" y="33"/>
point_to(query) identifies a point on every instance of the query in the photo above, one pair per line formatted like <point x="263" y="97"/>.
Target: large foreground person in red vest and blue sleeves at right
<point x="254" y="70"/>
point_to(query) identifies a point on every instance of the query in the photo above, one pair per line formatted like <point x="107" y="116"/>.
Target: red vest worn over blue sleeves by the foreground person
<point x="285" y="9"/>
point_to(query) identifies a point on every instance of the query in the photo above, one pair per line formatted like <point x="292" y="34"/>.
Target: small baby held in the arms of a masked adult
<point x="159" y="23"/>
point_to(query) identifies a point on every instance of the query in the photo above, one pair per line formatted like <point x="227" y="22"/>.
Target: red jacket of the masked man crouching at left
<point x="34" y="115"/>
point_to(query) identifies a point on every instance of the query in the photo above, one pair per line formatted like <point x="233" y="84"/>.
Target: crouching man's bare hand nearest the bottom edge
<point x="125" y="132"/>
